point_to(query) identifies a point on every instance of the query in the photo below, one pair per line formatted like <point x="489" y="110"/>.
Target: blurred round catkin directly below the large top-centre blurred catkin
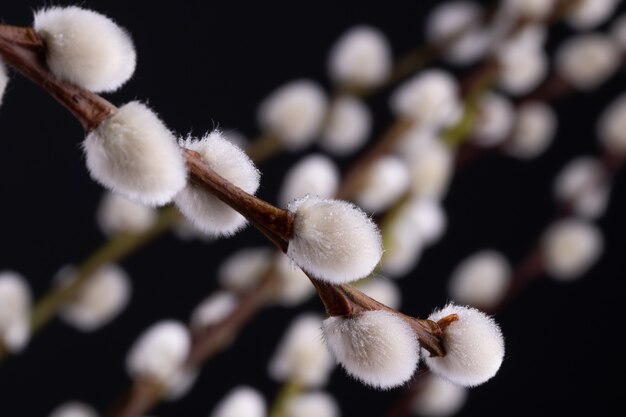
<point x="348" y="126"/>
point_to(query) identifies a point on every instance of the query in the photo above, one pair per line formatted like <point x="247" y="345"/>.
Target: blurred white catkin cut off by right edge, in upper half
<point x="612" y="126"/>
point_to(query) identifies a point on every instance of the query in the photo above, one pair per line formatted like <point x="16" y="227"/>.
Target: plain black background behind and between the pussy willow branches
<point x="206" y="64"/>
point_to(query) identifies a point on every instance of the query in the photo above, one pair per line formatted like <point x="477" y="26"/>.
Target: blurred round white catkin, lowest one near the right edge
<point x="570" y="247"/>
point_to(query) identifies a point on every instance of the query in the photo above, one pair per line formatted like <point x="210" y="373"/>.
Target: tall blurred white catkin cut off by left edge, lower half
<point x="15" y="307"/>
